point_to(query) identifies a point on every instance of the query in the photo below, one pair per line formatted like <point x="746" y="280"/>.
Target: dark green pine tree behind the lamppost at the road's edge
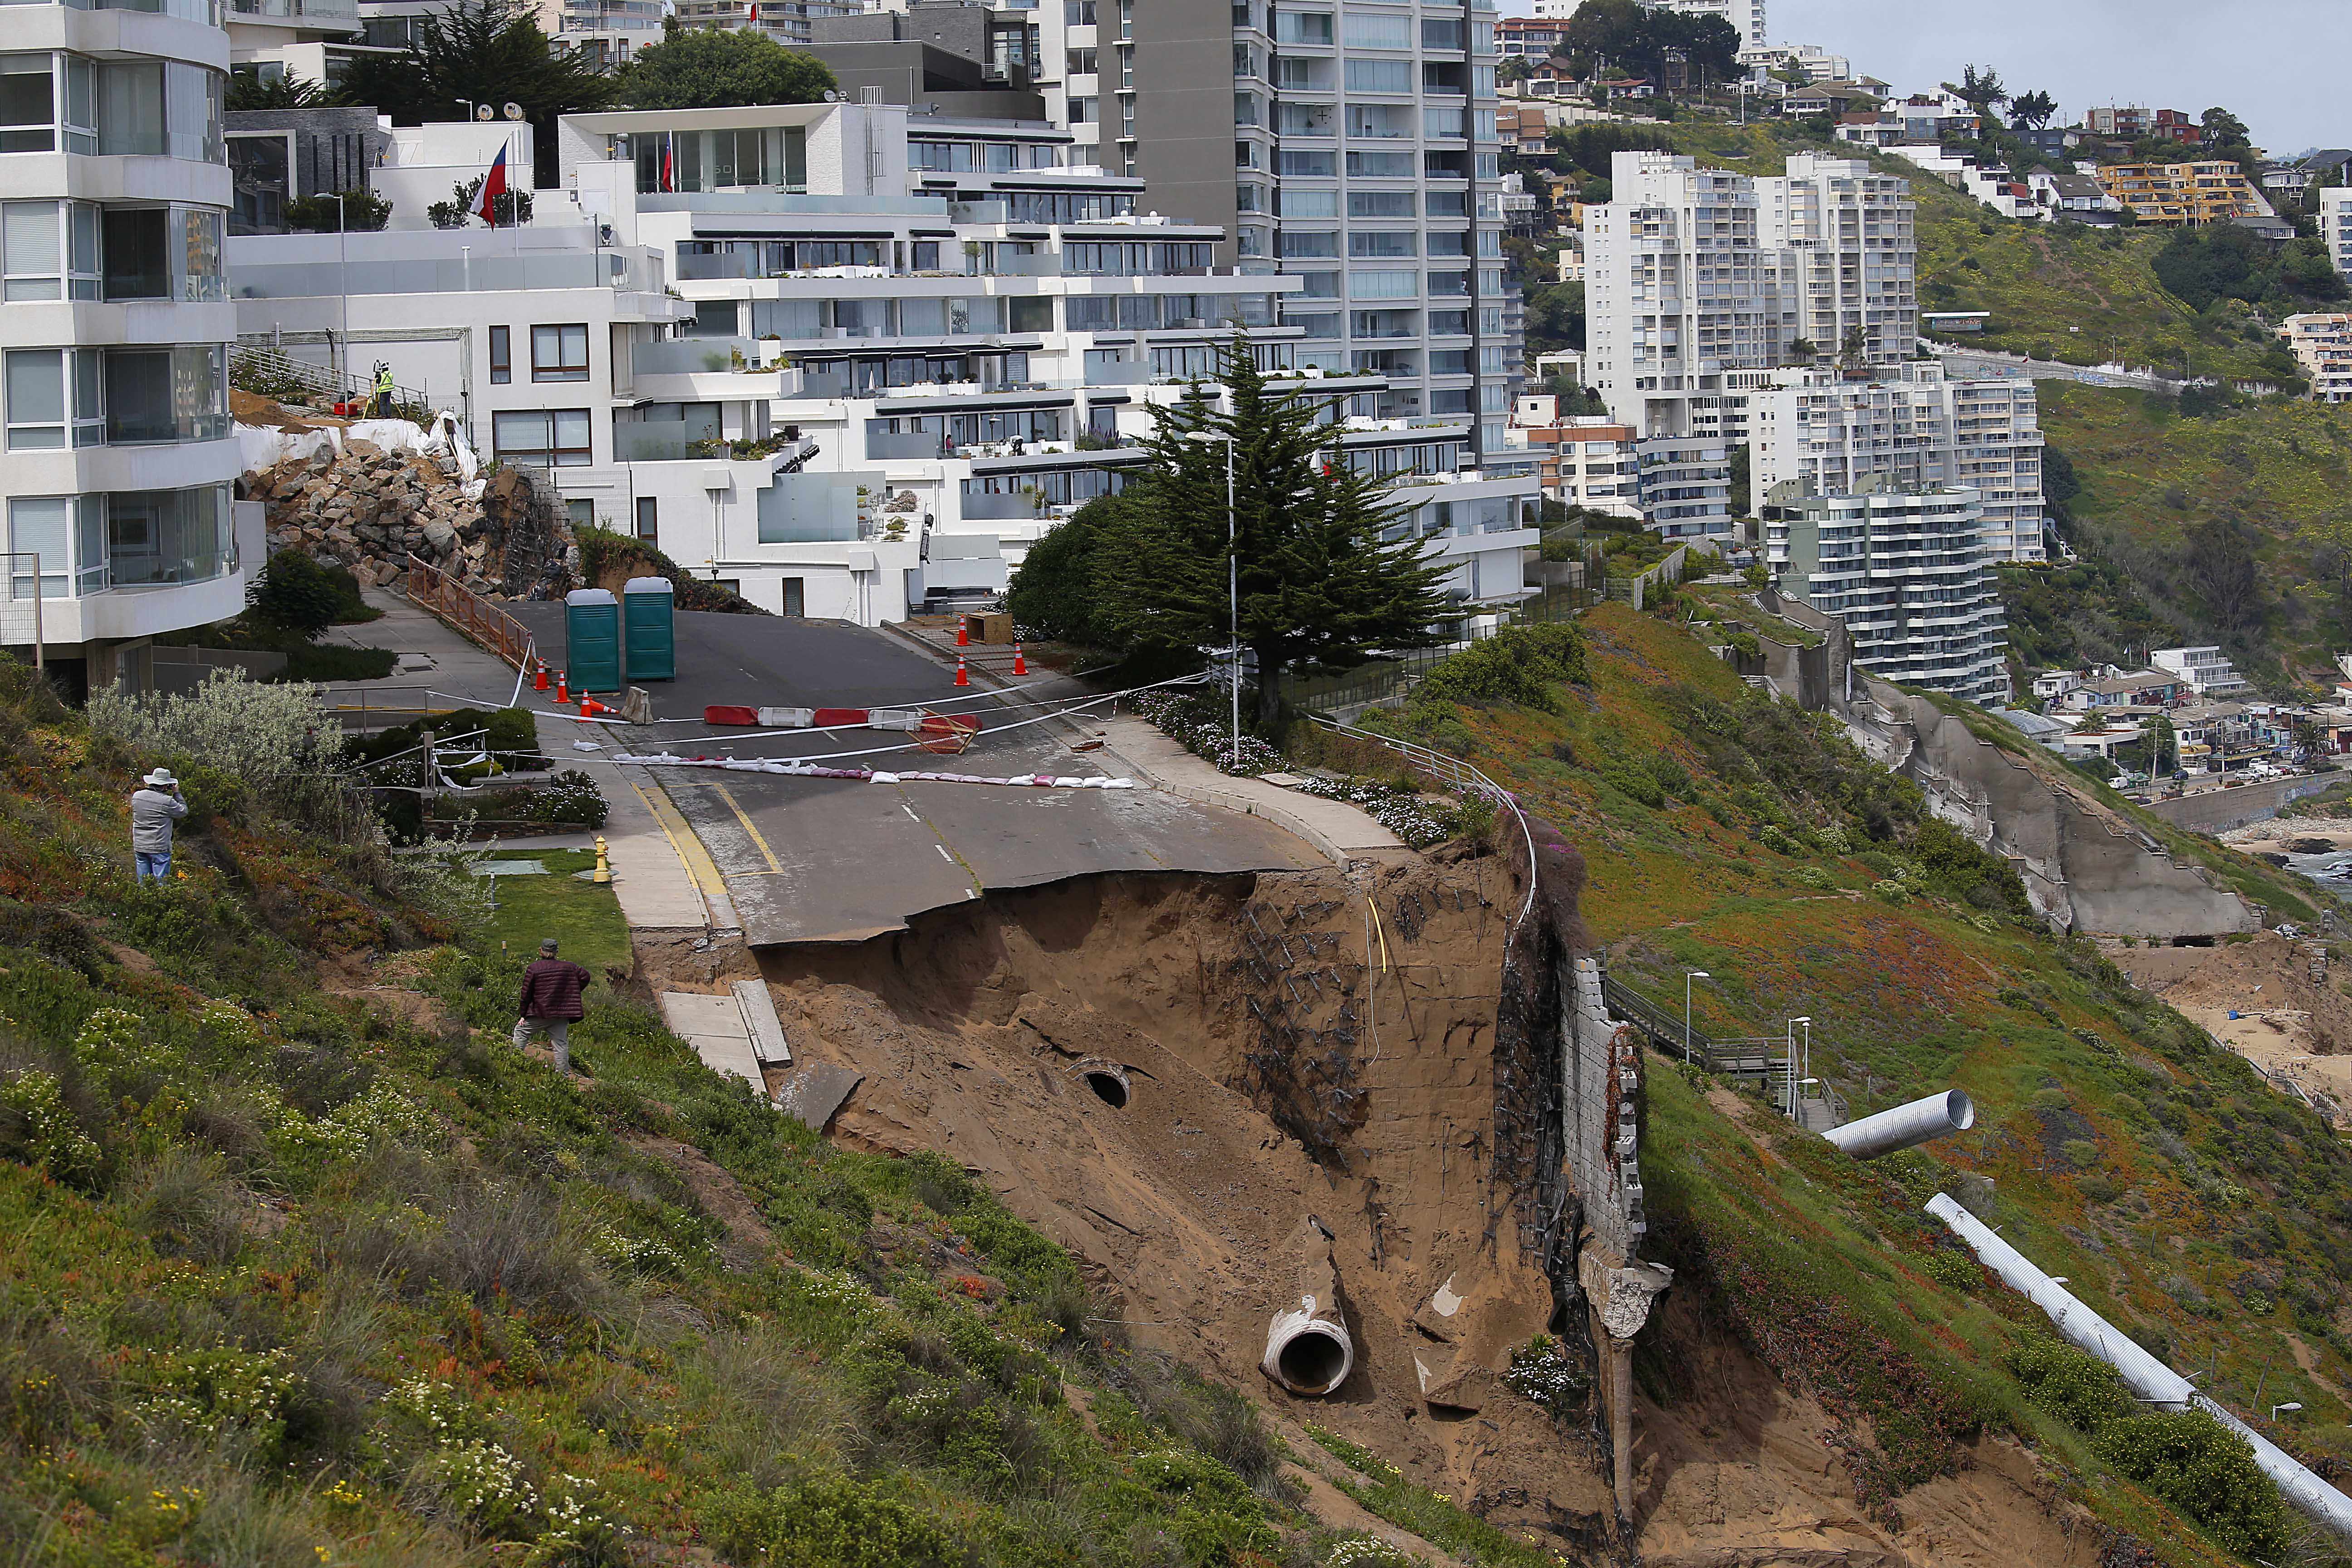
<point x="1325" y="570"/>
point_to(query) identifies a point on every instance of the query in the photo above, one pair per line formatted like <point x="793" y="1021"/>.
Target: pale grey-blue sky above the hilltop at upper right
<point x="2276" y="65"/>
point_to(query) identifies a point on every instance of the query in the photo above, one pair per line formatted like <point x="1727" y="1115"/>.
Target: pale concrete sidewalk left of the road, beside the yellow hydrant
<point x="660" y="871"/>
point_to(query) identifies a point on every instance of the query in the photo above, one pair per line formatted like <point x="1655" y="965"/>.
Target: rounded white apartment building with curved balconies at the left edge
<point x="114" y="389"/>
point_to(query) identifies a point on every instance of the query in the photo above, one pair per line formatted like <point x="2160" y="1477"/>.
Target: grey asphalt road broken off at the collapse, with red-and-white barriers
<point x="838" y="862"/>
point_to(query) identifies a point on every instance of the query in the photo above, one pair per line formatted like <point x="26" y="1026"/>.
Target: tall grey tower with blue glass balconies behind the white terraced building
<point x="1347" y="142"/>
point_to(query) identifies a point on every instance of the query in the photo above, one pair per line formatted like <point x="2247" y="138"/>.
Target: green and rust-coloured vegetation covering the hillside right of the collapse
<point x="2165" y="1179"/>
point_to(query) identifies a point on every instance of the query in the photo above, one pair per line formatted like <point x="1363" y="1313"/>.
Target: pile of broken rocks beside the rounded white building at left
<point x="375" y="509"/>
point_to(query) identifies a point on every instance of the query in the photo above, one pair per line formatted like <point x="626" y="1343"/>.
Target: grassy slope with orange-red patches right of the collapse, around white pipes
<point x="2158" y="1174"/>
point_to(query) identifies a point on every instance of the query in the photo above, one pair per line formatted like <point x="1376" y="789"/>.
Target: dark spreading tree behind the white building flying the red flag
<point x="479" y="53"/>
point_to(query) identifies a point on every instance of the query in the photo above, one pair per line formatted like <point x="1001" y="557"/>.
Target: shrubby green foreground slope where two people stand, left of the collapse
<point x="333" y="1278"/>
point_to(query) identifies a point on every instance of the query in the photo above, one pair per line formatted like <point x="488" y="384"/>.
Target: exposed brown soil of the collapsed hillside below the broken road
<point x="980" y="1031"/>
